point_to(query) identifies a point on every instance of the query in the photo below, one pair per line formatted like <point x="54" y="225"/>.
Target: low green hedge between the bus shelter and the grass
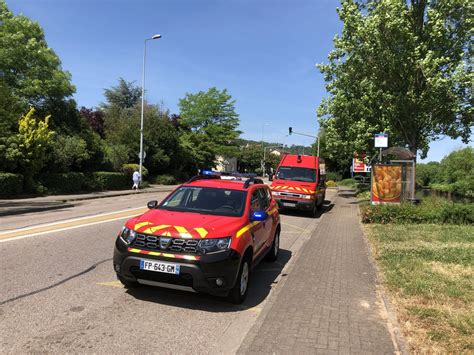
<point x="431" y="210"/>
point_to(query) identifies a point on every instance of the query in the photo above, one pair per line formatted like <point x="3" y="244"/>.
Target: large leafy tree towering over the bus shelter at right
<point x="403" y="67"/>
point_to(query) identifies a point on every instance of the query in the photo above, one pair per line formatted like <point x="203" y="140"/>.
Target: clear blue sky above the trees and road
<point x="262" y="51"/>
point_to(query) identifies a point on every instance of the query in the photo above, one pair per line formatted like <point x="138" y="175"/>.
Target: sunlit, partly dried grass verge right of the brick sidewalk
<point x="428" y="270"/>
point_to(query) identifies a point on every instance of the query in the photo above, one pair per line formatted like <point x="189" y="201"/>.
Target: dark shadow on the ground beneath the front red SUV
<point x="263" y="277"/>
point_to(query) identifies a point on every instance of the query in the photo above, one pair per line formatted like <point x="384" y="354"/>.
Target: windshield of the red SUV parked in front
<point x="221" y="202"/>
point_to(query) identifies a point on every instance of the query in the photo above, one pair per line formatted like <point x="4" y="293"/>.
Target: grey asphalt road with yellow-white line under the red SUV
<point x="59" y="292"/>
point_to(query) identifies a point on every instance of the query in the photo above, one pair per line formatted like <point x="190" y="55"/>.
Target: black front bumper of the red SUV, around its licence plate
<point x="195" y="275"/>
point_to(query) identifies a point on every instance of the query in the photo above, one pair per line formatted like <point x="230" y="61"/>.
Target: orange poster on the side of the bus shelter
<point x="386" y="184"/>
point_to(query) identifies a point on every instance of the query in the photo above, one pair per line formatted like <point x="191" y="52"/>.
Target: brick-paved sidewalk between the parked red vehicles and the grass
<point x="328" y="304"/>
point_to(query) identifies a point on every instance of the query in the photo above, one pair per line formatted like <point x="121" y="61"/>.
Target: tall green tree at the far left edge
<point x="31" y="71"/>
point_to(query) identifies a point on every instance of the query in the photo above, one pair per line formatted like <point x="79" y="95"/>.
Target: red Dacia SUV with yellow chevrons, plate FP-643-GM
<point x="205" y="236"/>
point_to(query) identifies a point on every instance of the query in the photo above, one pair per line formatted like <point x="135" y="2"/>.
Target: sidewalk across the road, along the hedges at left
<point x="10" y="207"/>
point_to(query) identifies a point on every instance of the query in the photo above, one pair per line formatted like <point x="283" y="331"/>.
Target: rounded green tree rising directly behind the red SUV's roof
<point x="209" y="125"/>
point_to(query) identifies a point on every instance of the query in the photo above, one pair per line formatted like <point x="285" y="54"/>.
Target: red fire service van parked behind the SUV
<point x="299" y="183"/>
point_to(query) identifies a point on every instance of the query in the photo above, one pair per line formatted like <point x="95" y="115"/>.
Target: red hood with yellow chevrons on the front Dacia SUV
<point x="185" y="224"/>
